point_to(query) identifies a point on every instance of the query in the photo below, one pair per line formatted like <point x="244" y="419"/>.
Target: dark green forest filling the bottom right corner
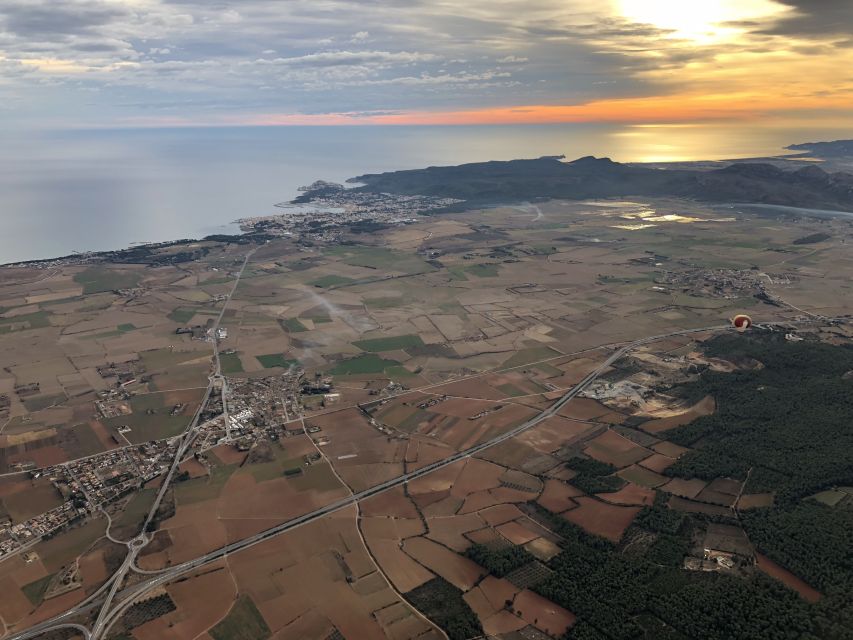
<point x="621" y="597"/>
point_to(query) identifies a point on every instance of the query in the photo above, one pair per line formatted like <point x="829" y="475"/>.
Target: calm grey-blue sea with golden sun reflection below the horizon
<point x="97" y="190"/>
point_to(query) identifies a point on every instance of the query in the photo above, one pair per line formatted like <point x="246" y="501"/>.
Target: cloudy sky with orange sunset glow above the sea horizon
<point x="129" y="63"/>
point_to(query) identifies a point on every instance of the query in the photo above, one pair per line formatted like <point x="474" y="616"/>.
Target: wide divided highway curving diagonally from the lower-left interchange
<point x="109" y="615"/>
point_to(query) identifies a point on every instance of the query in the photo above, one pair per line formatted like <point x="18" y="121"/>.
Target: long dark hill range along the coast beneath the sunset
<point x="589" y="177"/>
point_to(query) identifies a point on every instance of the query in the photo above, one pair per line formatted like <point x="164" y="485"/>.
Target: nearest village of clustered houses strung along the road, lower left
<point x="255" y="411"/>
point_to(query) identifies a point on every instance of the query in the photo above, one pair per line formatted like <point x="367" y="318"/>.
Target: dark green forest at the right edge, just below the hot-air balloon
<point x="786" y="423"/>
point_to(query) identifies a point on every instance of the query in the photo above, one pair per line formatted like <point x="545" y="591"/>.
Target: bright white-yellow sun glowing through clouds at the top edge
<point x="702" y="22"/>
